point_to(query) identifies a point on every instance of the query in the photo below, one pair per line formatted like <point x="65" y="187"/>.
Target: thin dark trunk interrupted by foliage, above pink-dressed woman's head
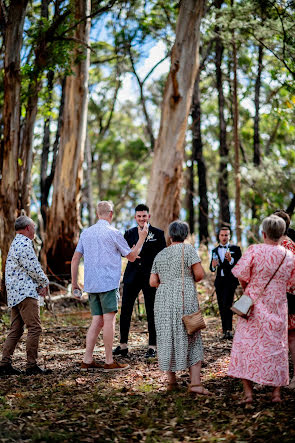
<point x="256" y="138"/>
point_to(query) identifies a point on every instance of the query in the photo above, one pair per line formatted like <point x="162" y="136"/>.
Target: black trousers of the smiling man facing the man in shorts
<point x="130" y="292"/>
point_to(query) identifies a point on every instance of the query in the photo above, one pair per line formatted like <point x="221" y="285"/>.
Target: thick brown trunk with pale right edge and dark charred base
<point x="64" y="215"/>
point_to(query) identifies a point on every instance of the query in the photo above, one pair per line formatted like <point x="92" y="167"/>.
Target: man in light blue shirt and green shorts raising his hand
<point x="102" y="247"/>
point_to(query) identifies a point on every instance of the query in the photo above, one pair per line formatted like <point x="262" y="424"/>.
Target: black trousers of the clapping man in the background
<point x="225" y="291"/>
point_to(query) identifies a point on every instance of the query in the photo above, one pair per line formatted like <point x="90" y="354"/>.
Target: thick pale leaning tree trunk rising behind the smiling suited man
<point x="165" y="180"/>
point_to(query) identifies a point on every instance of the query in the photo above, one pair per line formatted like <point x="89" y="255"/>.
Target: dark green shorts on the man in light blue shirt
<point x="104" y="302"/>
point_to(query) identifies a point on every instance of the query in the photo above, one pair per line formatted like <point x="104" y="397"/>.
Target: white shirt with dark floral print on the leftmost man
<point x="23" y="272"/>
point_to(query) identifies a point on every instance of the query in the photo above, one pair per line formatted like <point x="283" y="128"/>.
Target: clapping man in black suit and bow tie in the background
<point x="224" y="258"/>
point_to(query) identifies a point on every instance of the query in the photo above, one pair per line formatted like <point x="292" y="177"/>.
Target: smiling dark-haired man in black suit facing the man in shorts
<point x="136" y="278"/>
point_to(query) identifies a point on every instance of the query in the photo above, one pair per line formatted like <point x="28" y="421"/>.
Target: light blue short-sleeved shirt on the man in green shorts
<point x="102" y="247"/>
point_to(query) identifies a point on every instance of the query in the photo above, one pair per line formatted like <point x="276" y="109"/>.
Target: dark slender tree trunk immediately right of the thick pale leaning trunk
<point x="198" y="157"/>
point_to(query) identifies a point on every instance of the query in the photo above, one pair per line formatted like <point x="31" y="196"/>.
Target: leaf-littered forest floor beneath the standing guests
<point x="131" y="405"/>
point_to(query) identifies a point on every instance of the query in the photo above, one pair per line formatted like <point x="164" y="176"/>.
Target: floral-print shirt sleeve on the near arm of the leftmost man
<point x="29" y="261"/>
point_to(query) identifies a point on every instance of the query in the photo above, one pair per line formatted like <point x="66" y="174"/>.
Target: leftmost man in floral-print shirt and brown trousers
<point x="25" y="281"/>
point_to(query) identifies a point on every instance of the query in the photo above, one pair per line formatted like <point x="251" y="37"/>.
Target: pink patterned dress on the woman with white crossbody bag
<point x="260" y="346"/>
